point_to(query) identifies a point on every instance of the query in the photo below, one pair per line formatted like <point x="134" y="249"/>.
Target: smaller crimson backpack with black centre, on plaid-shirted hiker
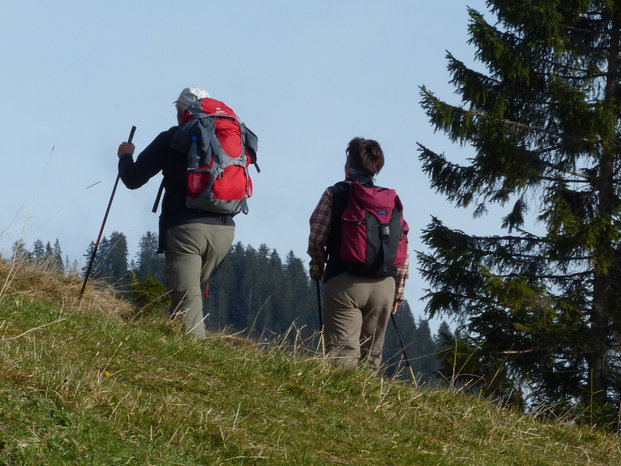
<point x="374" y="232"/>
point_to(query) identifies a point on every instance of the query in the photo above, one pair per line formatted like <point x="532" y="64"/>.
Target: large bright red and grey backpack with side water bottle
<point x="219" y="149"/>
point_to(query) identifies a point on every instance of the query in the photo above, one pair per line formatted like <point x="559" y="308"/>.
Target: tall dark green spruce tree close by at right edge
<point x="543" y="124"/>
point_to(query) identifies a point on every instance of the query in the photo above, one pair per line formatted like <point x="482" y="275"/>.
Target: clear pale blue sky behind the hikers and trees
<point x="305" y="76"/>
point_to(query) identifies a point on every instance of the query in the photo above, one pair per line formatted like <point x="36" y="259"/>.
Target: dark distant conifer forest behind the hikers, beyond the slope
<point x="254" y="293"/>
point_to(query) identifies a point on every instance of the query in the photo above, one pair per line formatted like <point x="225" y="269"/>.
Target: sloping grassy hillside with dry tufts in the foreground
<point x="81" y="385"/>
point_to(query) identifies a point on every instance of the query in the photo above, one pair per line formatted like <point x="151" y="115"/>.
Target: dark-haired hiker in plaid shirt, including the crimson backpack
<point x="358" y="297"/>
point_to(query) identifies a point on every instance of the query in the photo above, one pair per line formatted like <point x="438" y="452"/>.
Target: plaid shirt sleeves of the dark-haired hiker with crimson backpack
<point x="320" y="226"/>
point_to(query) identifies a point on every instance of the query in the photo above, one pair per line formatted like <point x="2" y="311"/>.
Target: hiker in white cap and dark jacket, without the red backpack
<point x="194" y="241"/>
